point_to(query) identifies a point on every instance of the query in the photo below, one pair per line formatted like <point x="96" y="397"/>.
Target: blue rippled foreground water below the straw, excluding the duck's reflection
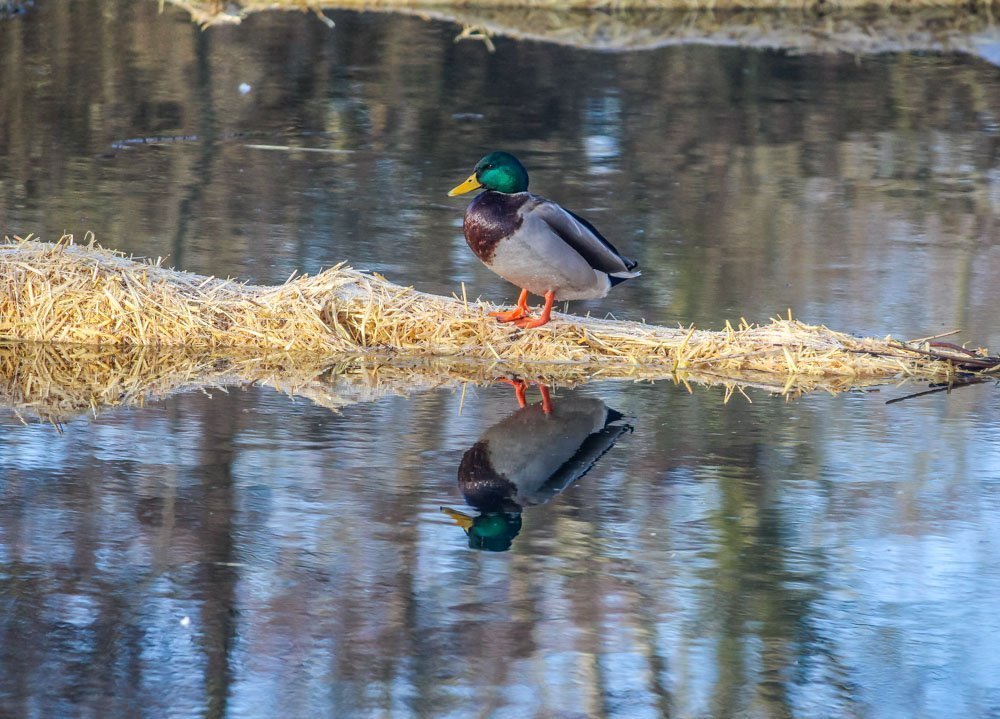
<point x="303" y="565"/>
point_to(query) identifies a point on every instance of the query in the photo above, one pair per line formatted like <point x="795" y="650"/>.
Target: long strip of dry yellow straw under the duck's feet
<point x="84" y="294"/>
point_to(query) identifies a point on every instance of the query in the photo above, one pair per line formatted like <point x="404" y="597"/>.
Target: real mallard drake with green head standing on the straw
<point x="539" y="246"/>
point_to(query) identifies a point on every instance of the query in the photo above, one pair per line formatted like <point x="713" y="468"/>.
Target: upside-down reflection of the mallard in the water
<point x="528" y="458"/>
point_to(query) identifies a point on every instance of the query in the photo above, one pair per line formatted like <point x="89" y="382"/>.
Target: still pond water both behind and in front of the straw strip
<point x="242" y="553"/>
